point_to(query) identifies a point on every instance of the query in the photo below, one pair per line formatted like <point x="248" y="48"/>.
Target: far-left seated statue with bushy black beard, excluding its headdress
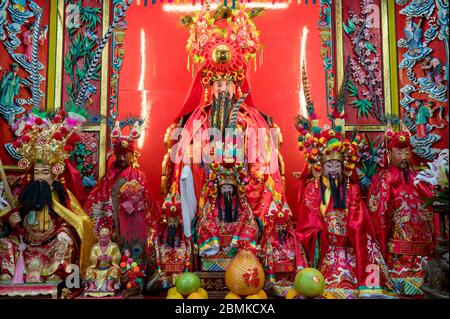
<point x="43" y="240"/>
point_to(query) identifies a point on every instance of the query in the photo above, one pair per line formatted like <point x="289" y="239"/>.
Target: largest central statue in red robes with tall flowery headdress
<point x="209" y="127"/>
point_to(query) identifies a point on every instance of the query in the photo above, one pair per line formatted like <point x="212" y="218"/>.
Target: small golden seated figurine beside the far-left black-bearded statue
<point x="103" y="273"/>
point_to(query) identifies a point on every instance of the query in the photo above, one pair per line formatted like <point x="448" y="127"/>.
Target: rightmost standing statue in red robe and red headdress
<point x="406" y="231"/>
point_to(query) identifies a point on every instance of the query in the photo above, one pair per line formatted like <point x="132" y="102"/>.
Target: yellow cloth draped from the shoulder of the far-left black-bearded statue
<point x="80" y="221"/>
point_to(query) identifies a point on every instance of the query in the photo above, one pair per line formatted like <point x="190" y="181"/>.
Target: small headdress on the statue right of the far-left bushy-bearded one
<point x="126" y="143"/>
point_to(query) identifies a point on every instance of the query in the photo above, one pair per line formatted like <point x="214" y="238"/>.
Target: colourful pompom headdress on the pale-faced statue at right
<point x="321" y="145"/>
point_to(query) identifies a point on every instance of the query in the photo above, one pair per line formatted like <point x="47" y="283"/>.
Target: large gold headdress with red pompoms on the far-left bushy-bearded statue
<point x="47" y="139"/>
